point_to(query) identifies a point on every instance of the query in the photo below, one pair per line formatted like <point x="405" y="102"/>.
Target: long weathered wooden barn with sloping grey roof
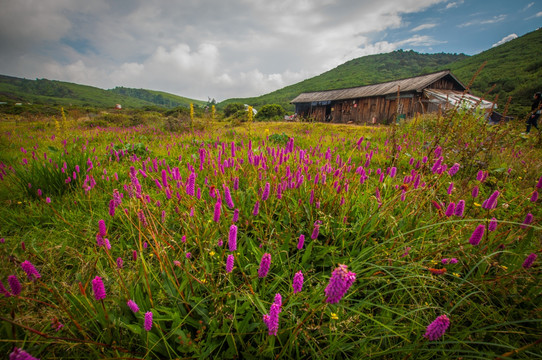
<point x="379" y="103"/>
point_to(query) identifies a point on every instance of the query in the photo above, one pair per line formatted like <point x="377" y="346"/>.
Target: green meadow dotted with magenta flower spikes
<point x="270" y="240"/>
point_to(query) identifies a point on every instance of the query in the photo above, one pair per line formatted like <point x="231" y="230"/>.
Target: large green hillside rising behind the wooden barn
<point x="514" y="67"/>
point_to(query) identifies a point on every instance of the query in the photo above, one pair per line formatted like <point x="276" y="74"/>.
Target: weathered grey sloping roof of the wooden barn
<point x="417" y="83"/>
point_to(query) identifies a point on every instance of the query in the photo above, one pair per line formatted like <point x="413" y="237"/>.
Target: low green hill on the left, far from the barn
<point x="52" y="92"/>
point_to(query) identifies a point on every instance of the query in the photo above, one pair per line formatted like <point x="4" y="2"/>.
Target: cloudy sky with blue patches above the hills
<point x="237" y="48"/>
